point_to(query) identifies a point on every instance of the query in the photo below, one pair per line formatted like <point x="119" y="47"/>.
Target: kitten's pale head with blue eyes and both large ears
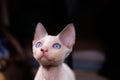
<point x="51" y="50"/>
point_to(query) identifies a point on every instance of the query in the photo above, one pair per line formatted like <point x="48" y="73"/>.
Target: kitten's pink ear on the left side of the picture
<point x="40" y="32"/>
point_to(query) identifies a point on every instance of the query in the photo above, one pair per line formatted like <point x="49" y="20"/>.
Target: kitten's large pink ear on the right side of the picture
<point x="67" y="36"/>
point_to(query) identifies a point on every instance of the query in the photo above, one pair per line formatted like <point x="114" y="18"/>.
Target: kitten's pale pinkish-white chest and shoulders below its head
<point x="62" y="72"/>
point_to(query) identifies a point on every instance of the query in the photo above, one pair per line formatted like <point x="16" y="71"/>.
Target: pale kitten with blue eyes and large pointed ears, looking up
<point x="51" y="51"/>
